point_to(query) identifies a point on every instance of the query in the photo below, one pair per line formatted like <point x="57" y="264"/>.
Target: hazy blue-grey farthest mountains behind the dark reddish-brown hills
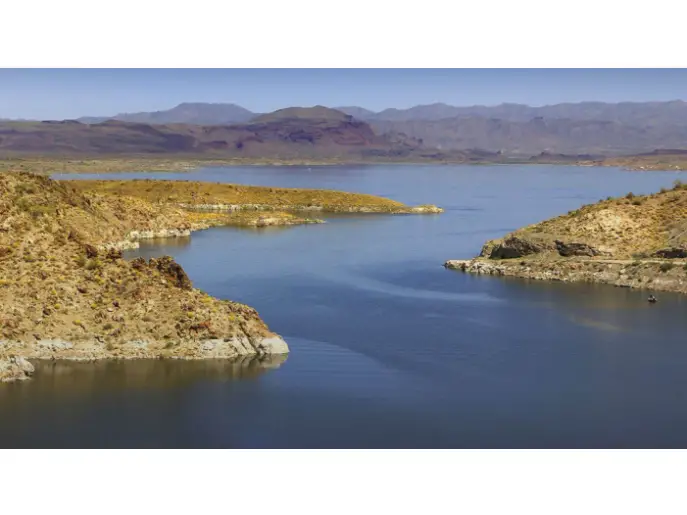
<point x="512" y="129"/>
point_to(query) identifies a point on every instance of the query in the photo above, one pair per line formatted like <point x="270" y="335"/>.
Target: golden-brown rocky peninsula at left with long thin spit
<point x="67" y="293"/>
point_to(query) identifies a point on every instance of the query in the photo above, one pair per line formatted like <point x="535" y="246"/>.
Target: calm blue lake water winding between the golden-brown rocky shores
<point x="388" y="348"/>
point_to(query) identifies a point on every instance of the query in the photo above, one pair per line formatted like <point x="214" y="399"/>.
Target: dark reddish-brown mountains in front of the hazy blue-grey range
<point x="292" y="133"/>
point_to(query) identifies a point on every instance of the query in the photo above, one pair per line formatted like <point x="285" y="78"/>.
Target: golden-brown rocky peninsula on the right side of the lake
<point x="633" y="241"/>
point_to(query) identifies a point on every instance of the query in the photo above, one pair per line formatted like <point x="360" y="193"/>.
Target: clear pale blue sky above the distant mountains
<point x="71" y="93"/>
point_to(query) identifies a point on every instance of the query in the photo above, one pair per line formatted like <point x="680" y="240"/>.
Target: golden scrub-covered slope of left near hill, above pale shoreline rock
<point x="56" y="284"/>
